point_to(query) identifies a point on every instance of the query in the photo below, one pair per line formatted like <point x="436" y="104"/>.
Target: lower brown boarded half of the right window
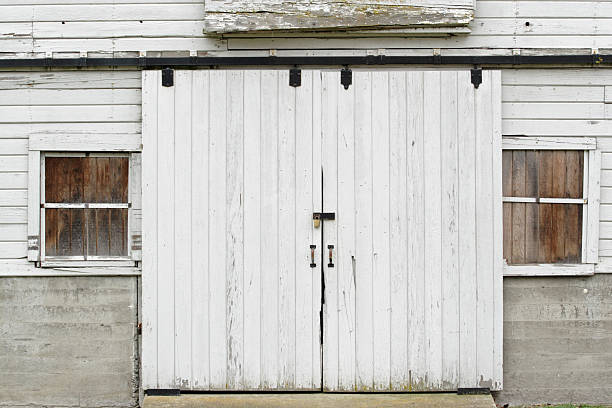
<point x="542" y="233"/>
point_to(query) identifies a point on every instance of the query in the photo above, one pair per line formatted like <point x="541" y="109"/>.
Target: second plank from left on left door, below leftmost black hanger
<point x="165" y="237"/>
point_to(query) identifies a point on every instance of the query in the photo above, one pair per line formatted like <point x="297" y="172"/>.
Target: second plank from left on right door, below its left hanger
<point x="345" y="252"/>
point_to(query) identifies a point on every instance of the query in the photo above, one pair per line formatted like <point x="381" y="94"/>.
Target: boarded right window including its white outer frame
<point x="550" y="201"/>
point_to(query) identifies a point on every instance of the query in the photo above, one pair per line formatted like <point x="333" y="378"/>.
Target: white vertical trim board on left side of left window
<point x="34" y="240"/>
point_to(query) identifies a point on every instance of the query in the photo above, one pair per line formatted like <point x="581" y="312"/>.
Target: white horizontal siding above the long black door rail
<point x="177" y="25"/>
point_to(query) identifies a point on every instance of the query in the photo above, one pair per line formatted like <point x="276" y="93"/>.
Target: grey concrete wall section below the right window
<point x="557" y="340"/>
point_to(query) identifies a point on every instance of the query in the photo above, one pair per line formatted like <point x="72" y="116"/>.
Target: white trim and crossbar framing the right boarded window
<point x="590" y="201"/>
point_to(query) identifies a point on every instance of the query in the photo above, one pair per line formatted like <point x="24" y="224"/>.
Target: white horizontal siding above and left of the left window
<point x="60" y="105"/>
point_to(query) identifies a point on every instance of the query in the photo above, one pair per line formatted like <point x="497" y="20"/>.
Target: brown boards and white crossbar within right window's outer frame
<point x="544" y="201"/>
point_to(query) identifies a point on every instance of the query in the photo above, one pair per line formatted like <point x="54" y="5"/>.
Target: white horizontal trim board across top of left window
<point x="86" y="142"/>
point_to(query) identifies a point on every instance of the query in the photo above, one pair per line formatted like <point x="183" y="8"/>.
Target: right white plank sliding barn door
<point x="412" y="169"/>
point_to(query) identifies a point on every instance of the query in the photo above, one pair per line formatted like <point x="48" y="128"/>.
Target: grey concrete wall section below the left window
<point x="68" y="341"/>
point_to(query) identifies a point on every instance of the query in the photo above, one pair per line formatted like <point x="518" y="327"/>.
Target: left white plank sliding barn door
<point x="231" y="175"/>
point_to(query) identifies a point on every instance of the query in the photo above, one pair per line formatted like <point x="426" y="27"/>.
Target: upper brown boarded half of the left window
<point x="86" y="179"/>
